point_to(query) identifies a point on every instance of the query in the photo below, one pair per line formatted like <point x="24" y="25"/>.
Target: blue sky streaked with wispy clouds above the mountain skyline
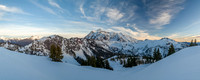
<point x="141" y="19"/>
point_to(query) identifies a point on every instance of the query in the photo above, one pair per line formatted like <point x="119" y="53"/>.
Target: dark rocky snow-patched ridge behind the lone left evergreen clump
<point x="76" y="47"/>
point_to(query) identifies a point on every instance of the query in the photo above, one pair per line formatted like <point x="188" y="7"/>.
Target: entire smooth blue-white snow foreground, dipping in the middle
<point x="183" y="65"/>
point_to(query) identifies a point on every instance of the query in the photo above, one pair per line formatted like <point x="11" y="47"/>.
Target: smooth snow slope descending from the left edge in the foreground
<point x="17" y="66"/>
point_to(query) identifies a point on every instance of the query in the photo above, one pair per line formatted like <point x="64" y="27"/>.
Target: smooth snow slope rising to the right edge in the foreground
<point x="183" y="65"/>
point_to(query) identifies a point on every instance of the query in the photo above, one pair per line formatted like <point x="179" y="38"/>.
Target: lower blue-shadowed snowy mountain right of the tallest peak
<point x="147" y="47"/>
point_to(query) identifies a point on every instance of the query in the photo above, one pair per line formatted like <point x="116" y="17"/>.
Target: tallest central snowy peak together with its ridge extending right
<point x="120" y="43"/>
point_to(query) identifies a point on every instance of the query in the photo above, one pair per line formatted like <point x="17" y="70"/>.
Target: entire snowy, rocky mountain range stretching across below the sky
<point x="96" y="43"/>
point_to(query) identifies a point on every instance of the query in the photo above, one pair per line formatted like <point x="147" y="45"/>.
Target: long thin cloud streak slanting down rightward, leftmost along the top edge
<point x="44" y="7"/>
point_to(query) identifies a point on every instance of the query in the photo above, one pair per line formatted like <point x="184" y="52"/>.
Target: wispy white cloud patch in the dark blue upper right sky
<point x="161" y="12"/>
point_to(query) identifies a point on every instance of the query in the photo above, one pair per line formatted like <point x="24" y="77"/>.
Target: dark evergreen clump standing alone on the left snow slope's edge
<point x="56" y="53"/>
